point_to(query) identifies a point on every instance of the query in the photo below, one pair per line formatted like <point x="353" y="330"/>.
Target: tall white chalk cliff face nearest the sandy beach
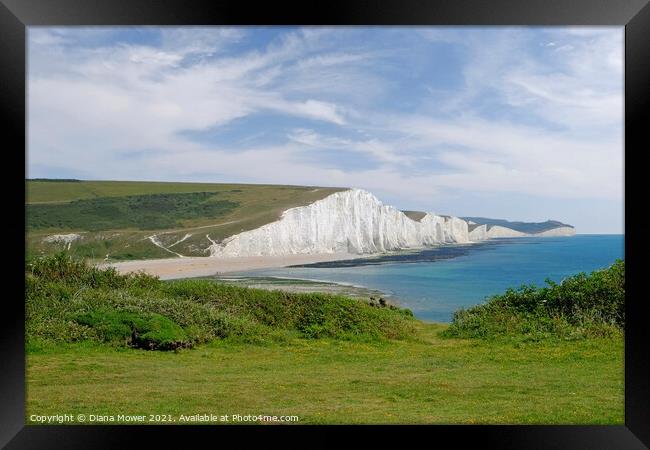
<point x="352" y="221"/>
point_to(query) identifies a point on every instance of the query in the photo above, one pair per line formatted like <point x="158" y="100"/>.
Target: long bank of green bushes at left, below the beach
<point x="66" y="301"/>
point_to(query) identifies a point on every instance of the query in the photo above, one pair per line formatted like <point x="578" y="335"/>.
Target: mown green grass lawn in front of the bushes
<point x="425" y="379"/>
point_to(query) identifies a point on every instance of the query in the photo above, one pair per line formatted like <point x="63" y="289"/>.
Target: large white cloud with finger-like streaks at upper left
<point x="141" y="97"/>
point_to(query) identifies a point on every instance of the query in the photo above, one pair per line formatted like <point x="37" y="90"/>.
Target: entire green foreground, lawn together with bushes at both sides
<point x="96" y="345"/>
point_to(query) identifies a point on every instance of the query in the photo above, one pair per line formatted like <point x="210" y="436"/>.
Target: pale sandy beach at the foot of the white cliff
<point x="189" y="267"/>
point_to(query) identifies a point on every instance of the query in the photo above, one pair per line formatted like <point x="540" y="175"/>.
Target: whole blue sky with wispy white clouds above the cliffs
<point x="521" y="123"/>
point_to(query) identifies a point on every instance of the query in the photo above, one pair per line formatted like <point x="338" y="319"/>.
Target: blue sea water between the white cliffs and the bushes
<point x="434" y="283"/>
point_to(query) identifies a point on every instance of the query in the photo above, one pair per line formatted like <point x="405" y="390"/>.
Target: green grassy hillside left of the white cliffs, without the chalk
<point x="116" y="219"/>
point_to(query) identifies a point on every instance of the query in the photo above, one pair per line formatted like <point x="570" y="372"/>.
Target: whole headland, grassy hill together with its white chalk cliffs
<point x="128" y="220"/>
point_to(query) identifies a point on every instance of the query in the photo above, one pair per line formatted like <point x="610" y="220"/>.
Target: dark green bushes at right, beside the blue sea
<point x="580" y="306"/>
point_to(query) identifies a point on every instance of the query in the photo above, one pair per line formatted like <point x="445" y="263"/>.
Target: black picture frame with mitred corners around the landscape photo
<point x="16" y="15"/>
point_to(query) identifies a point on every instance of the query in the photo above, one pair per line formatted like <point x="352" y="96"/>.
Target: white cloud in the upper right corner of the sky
<point x="583" y="91"/>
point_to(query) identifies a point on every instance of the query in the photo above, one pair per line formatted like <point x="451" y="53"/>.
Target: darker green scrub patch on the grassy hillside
<point x="145" y="212"/>
